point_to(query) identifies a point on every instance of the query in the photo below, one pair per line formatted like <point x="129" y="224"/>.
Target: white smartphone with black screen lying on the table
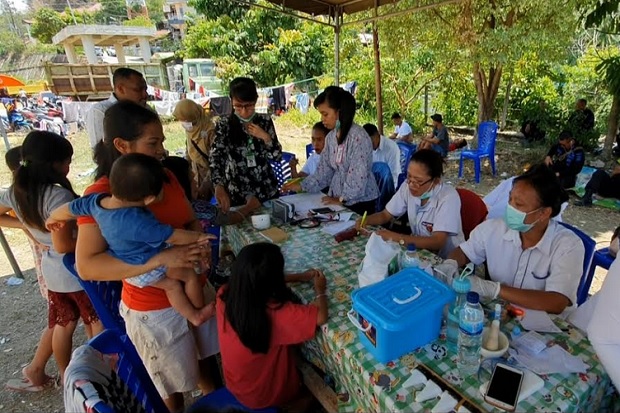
<point x="504" y="387"/>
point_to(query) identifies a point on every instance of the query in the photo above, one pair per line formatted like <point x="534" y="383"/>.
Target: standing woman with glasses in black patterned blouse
<point x="244" y="144"/>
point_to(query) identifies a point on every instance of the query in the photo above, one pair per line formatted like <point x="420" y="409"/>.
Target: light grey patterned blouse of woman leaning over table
<point x="346" y="168"/>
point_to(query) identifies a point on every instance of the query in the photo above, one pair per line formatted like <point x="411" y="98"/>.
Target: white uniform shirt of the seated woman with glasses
<point x="442" y="213"/>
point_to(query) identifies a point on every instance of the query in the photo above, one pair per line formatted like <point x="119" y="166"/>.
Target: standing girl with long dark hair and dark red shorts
<point x="40" y="185"/>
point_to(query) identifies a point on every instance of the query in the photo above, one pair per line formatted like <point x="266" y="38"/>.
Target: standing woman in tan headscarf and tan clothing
<point x="200" y="132"/>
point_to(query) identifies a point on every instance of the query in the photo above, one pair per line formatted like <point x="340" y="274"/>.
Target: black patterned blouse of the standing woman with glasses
<point x="241" y="163"/>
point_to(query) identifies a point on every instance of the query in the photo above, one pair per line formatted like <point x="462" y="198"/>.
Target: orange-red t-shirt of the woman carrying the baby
<point x="172" y="210"/>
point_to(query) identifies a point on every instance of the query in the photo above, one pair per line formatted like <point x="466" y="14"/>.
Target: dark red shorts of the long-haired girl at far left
<point x="67" y="307"/>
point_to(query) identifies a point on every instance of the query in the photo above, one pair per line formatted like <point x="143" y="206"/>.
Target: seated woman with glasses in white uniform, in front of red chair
<point x="433" y="207"/>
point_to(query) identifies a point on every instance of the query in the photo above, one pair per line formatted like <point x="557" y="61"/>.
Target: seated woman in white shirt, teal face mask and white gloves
<point x="533" y="261"/>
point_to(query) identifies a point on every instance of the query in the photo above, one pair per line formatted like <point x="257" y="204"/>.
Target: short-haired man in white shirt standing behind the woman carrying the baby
<point x="129" y="85"/>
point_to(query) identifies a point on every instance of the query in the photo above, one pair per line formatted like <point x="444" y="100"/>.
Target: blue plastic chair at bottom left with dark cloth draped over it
<point x="136" y="388"/>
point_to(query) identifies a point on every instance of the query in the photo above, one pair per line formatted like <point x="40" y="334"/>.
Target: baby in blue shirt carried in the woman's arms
<point x="134" y="235"/>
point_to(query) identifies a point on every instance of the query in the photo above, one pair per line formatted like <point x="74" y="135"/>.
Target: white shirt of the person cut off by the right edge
<point x="604" y="327"/>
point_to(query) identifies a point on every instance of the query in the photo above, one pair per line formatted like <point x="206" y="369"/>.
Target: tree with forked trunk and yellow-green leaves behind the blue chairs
<point x="483" y="37"/>
